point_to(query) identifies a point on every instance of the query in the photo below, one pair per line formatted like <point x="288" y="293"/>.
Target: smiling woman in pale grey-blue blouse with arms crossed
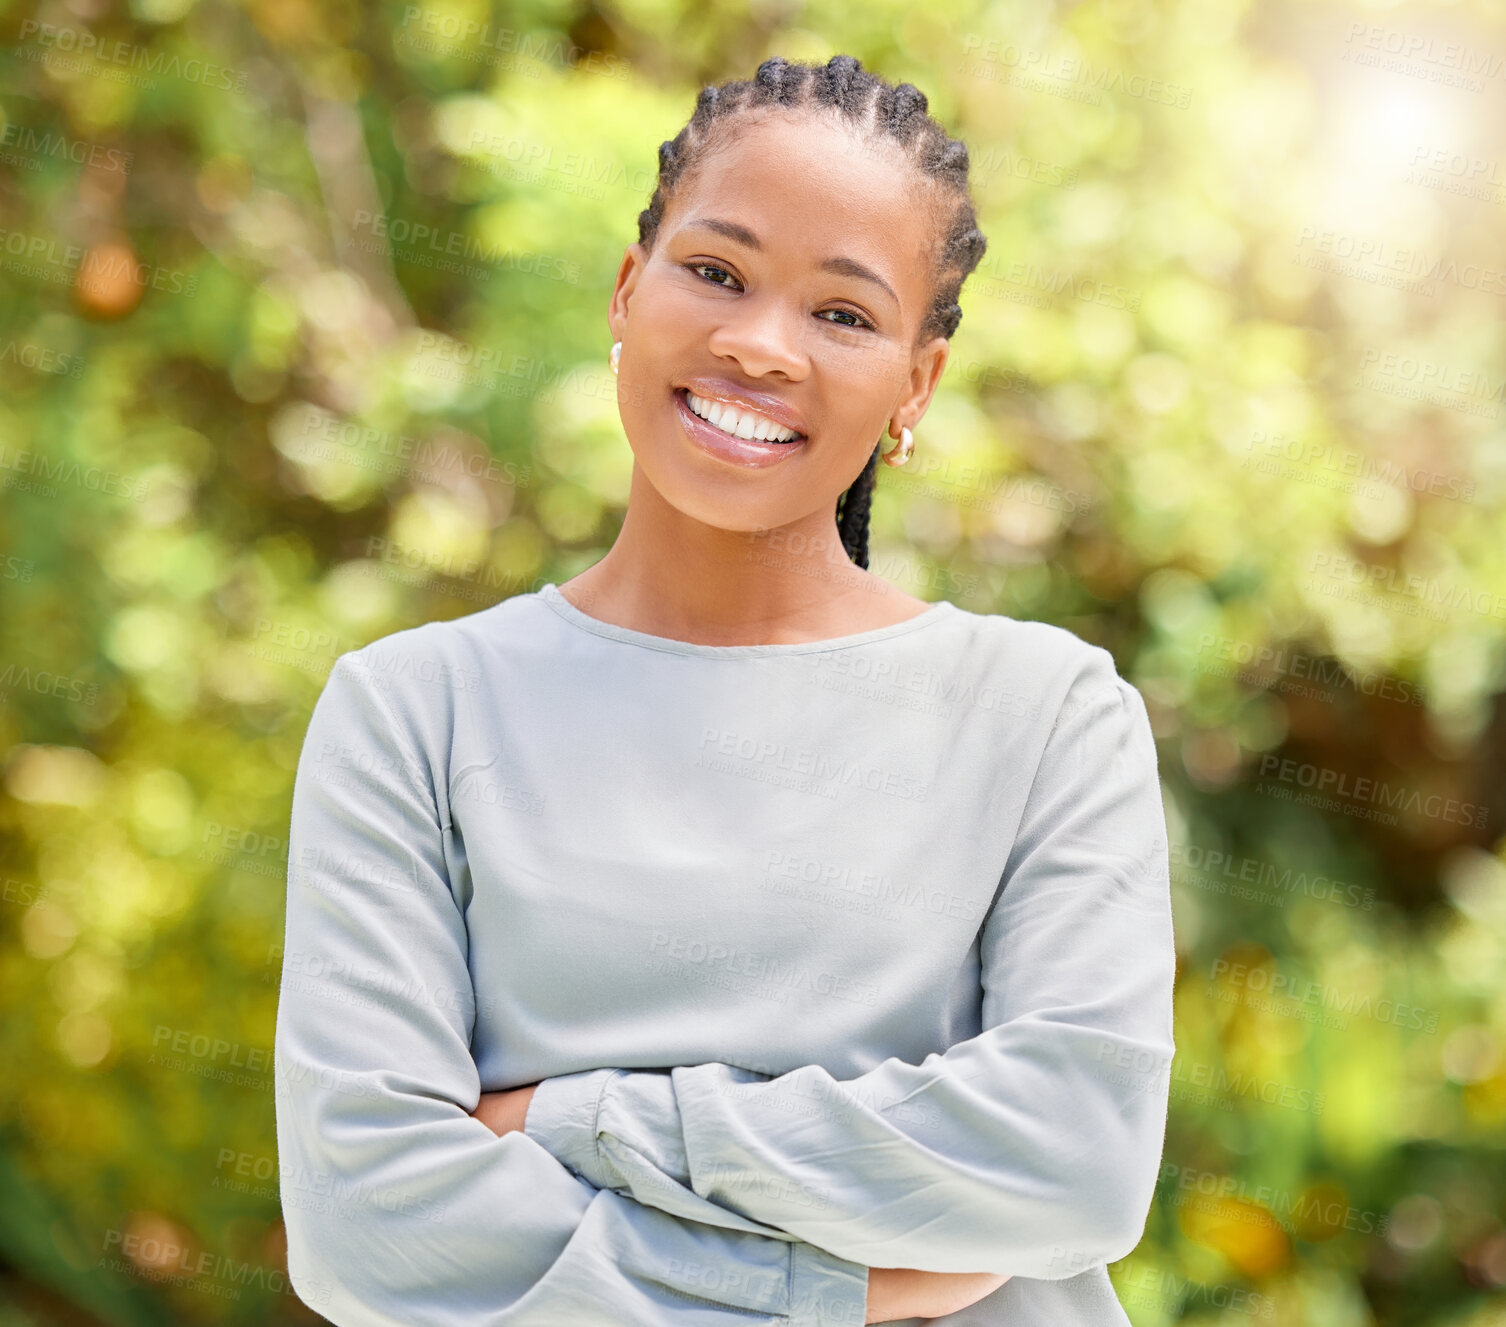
<point x="727" y="936"/>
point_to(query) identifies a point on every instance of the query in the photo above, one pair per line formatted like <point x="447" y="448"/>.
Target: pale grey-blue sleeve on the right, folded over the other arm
<point x="1029" y="1150"/>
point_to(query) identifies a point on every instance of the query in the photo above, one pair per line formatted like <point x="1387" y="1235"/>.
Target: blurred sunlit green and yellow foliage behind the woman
<point x="303" y="343"/>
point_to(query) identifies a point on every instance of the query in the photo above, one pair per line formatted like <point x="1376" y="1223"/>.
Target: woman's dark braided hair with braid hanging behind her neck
<point x="877" y="109"/>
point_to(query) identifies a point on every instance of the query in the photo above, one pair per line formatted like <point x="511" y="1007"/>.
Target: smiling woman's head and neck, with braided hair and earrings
<point x="797" y="269"/>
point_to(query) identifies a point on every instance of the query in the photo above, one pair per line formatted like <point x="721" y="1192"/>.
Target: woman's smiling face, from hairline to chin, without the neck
<point x="791" y="273"/>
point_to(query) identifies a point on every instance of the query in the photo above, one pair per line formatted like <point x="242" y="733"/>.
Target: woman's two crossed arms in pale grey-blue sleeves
<point x="647" y="1197"/>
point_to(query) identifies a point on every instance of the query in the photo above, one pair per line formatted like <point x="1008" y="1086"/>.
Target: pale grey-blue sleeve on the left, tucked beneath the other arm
<point x="400" y="1207"/>
